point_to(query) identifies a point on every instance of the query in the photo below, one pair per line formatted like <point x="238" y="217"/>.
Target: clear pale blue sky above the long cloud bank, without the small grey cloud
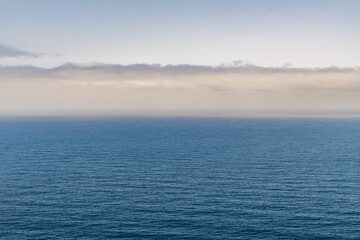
<point x="311" y="33"/>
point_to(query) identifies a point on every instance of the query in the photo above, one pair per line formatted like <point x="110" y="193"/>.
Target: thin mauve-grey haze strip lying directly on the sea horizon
<point x="171" y="113"/>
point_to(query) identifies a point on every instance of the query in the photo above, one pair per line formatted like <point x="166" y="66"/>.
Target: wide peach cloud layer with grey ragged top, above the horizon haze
<point x="178" y="87"/>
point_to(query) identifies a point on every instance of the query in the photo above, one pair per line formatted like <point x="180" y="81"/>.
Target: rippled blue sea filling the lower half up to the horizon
<point x="179" y="178"/>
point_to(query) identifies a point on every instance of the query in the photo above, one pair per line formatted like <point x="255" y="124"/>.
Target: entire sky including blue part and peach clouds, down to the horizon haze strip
<point x="115" y="55"/>
